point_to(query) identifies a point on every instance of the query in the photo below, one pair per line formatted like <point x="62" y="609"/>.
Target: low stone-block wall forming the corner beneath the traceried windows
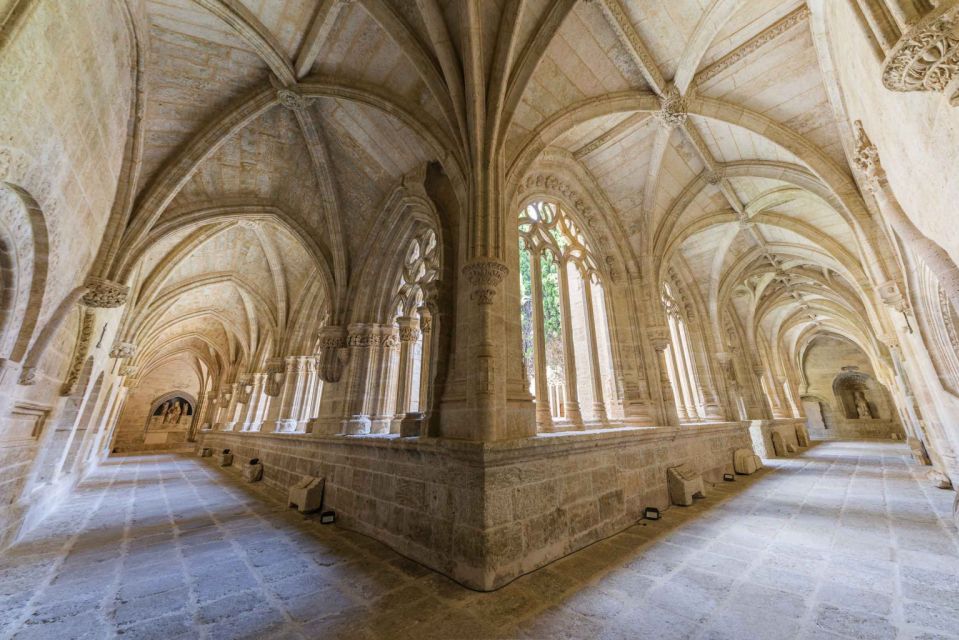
<point x="485" y="514"/>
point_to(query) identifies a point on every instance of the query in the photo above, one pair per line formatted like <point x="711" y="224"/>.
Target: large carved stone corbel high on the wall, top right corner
<point x="926" y="58"/>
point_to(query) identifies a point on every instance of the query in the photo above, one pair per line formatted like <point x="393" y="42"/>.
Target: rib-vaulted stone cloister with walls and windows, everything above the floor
<point x="489" y="268"/>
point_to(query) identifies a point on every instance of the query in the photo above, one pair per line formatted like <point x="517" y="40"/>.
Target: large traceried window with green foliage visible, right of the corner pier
<point x="565" y="338"/>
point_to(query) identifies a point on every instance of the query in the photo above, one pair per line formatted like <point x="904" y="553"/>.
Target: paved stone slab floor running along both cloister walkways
<point x="844" y="541"/>
